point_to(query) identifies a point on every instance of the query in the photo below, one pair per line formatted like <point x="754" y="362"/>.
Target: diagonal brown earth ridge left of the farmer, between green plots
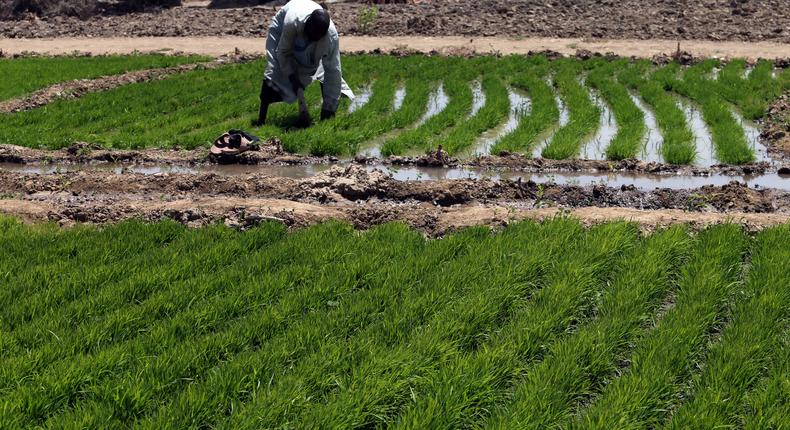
<point x="77" y="88"/>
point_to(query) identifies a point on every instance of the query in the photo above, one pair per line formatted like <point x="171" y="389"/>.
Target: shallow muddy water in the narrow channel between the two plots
<point x="640" y="181"/>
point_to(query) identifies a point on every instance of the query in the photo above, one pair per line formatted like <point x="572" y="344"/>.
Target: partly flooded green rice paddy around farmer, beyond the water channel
<point x="605" y="109"/>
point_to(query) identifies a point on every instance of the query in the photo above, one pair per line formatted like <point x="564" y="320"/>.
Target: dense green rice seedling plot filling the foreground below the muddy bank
<point x="540" y="325"/>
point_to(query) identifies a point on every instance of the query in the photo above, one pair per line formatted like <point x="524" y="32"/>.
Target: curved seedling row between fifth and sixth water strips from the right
<point x="541" y="117"/>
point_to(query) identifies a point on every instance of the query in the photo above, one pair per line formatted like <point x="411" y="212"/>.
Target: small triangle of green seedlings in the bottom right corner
<point x="769" y="405"/>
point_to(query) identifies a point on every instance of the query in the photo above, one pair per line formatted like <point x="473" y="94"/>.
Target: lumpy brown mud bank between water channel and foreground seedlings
<point x="368" y="198"/>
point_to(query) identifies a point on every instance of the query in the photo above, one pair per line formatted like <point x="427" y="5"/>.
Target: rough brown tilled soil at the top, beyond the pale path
<point x="755" y="20"/>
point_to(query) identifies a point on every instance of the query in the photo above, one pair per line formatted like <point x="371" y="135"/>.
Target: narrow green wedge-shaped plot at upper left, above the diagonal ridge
<point x="22" y="76"/>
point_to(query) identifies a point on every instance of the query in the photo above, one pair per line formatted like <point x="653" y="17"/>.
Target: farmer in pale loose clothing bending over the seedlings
<point x="302" y="46"/>
